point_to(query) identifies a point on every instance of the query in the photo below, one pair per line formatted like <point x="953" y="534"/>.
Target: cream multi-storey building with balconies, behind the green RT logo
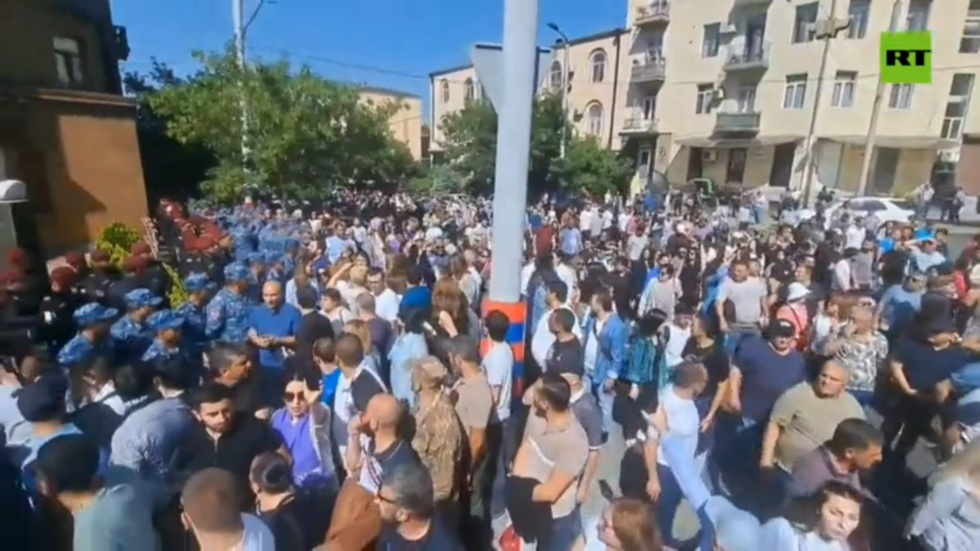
<point x="741" y="86"/>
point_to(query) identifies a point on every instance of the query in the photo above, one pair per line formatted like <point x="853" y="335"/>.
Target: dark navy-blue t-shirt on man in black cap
<point x="766" y="374"/>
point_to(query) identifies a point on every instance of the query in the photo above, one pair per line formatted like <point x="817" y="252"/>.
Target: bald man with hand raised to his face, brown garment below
<point x="374" y="450"/>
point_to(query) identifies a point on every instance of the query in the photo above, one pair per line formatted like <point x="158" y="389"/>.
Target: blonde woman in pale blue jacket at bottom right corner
<point x="949" y="518"/>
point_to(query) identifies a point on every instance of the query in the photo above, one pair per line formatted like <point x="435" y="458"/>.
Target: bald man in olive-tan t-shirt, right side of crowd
<point x="806" y="415"/>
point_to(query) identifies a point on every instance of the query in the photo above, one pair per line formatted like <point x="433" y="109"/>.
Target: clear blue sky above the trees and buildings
<point x="385" y="43"/>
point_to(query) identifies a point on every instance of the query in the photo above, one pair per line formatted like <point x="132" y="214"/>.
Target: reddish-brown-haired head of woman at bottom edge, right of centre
<point x="628" y="524"/>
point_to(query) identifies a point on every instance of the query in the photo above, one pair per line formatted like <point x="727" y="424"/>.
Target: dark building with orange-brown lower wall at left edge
<point x="66" y="131"/>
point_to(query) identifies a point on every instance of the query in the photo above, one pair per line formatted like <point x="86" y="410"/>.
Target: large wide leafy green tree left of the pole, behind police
<point x="302" y="134"/>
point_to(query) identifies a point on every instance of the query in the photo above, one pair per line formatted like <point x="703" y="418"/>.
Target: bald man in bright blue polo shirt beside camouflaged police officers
<point x="272" y="327"/>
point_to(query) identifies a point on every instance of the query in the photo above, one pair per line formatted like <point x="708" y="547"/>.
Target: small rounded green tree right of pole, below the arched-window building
<point x="591" y="168"/>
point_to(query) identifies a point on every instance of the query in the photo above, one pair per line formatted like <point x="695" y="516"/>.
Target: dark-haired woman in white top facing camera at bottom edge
<point x="825" y="521"/>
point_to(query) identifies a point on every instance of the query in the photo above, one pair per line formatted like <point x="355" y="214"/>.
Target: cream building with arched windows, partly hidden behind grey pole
<point x="597" y="83"/>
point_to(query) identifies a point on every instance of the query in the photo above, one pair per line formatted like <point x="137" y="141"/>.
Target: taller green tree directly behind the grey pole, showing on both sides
<point x="470" y="143"/>
